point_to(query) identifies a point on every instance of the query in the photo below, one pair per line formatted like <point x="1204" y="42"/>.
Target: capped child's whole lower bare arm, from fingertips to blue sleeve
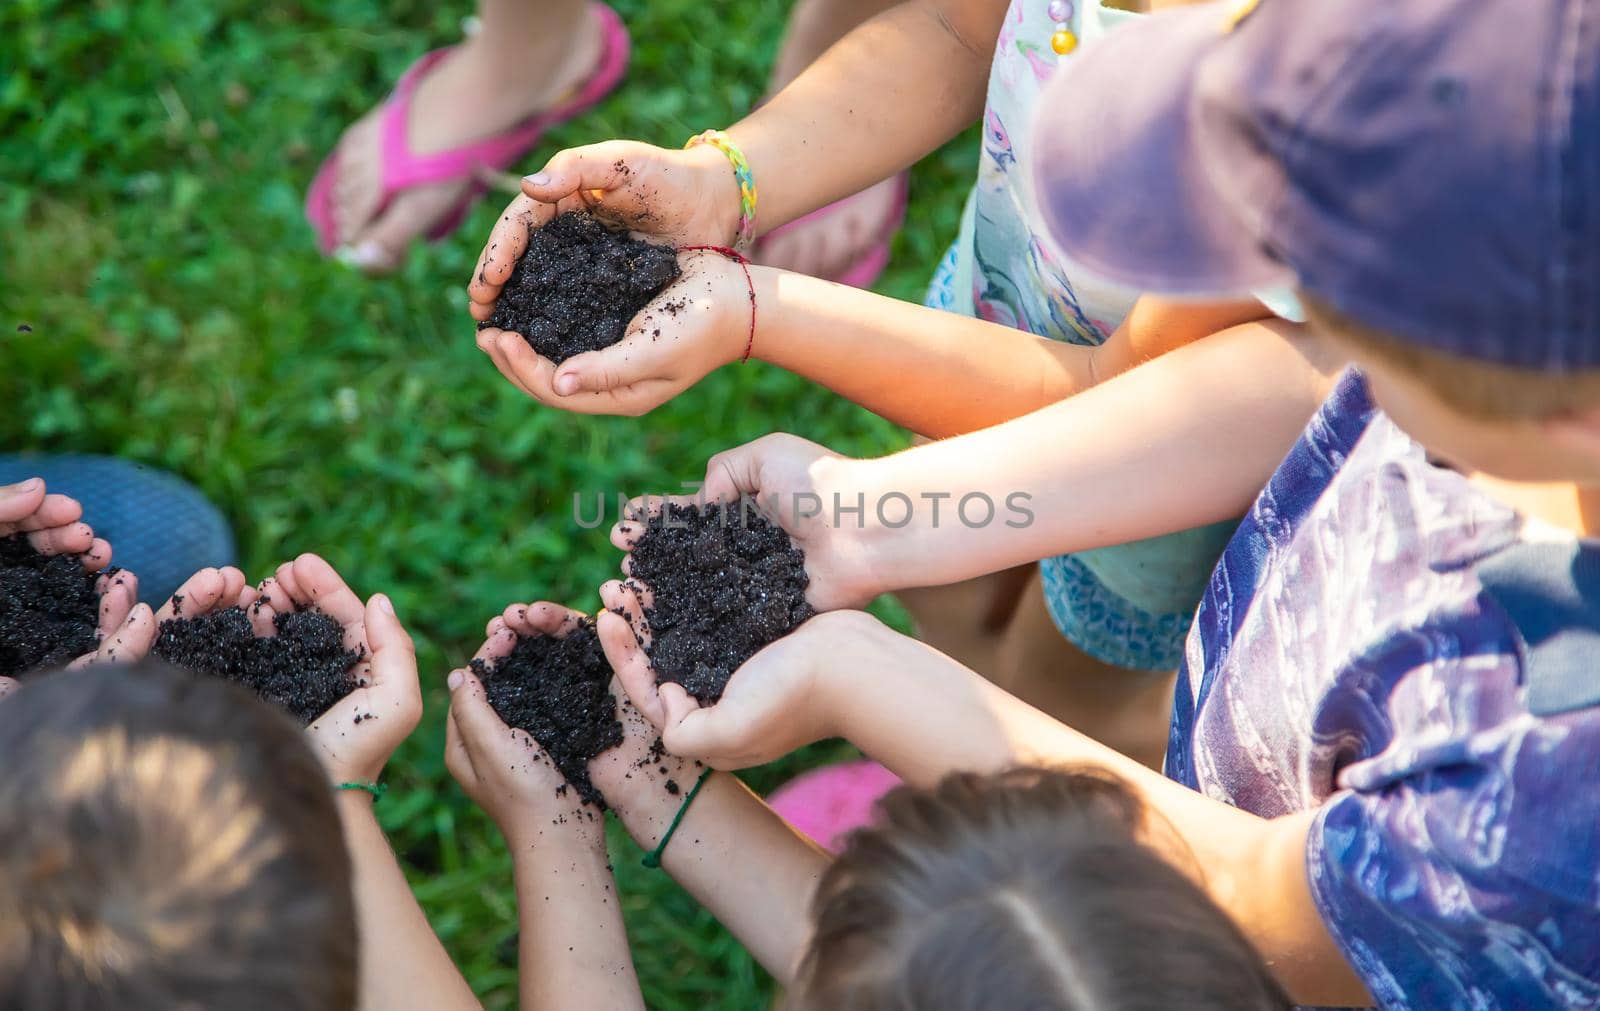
<point x="924" y="716"/>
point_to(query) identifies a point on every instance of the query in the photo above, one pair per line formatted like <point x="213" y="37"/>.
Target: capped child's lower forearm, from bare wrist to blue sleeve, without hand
<point x="946" y="719"/>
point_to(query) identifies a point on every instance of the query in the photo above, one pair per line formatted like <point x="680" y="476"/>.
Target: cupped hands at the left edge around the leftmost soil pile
<point x="52" y="524"/>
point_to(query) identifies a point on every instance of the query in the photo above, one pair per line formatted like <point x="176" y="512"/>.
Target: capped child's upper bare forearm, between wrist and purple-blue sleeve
<point x="1175" y="444"/>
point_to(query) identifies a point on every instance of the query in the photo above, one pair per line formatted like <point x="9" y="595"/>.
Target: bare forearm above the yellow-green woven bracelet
<point x="842" y="126"/>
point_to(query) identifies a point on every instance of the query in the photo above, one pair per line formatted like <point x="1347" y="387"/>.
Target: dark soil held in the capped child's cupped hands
<point x="726" y="583"/>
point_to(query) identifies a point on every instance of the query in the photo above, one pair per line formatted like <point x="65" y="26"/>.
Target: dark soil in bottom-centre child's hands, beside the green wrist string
<point x="559" y="690"/>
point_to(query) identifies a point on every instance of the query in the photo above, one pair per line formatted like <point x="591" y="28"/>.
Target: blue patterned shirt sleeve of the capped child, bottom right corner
<point x="1457" y="871"/>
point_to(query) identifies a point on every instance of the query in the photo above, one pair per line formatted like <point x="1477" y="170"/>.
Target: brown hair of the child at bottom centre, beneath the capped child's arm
<point x="1025" y="890"/>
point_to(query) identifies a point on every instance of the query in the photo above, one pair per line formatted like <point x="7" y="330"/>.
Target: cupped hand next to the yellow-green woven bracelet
<point x="681" y="198"/>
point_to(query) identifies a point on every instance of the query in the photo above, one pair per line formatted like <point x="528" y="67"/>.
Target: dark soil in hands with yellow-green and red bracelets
<point x="578" y="286"/>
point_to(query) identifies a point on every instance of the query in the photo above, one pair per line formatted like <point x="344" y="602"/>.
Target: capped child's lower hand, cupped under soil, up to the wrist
<point x="772" y="706"/>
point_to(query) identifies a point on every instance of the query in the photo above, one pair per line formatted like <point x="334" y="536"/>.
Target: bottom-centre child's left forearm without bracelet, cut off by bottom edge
<point x="574" y="945"/>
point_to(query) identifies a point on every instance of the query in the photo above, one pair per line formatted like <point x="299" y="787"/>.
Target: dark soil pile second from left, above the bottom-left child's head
<point x="303" y="669"/>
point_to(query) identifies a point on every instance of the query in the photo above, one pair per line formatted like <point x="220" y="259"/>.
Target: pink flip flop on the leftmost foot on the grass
<point x="402" y="169"/>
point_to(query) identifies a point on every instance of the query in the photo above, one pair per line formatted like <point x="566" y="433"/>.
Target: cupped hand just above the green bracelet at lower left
<point x="356" y="738"/>
